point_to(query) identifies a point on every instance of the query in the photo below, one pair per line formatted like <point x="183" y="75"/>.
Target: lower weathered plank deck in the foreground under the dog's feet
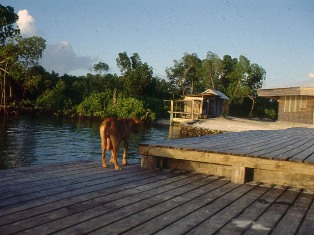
<point x="81" y="197"/>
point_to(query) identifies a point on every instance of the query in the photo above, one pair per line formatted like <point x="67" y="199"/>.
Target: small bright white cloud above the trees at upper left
<point x="27" y="24"/>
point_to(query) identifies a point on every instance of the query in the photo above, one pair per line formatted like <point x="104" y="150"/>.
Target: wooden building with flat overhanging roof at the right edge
<point x="296" y="104"/>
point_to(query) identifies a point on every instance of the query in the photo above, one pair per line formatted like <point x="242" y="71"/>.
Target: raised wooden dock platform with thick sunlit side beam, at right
<point x="282" y="157"/>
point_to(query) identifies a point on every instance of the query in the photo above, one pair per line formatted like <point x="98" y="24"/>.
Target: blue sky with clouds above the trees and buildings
<point x="277" y="35"/>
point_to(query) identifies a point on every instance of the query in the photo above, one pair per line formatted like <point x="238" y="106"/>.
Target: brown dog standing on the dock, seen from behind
<point x="112" y="132"/>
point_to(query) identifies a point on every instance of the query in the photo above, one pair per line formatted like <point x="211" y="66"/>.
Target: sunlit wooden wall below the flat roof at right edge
<point x="297" y="109"/>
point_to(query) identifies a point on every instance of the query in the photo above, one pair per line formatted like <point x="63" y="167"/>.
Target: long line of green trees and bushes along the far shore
<point x="135" y="92"/>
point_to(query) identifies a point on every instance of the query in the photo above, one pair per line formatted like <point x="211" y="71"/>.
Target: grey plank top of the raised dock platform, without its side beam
<point x="266" y="144"/>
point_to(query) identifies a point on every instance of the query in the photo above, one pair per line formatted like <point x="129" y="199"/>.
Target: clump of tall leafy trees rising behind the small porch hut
<point x="237" y="78"/>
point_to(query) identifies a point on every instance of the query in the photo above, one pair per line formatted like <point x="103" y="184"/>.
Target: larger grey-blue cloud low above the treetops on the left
<point x="62" y="59"/>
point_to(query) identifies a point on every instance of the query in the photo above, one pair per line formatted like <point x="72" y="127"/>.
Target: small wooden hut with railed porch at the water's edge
<point x="209" y="103"/>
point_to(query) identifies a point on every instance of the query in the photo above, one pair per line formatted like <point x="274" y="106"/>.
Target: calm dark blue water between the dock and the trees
<point x="33" y="140"/>
